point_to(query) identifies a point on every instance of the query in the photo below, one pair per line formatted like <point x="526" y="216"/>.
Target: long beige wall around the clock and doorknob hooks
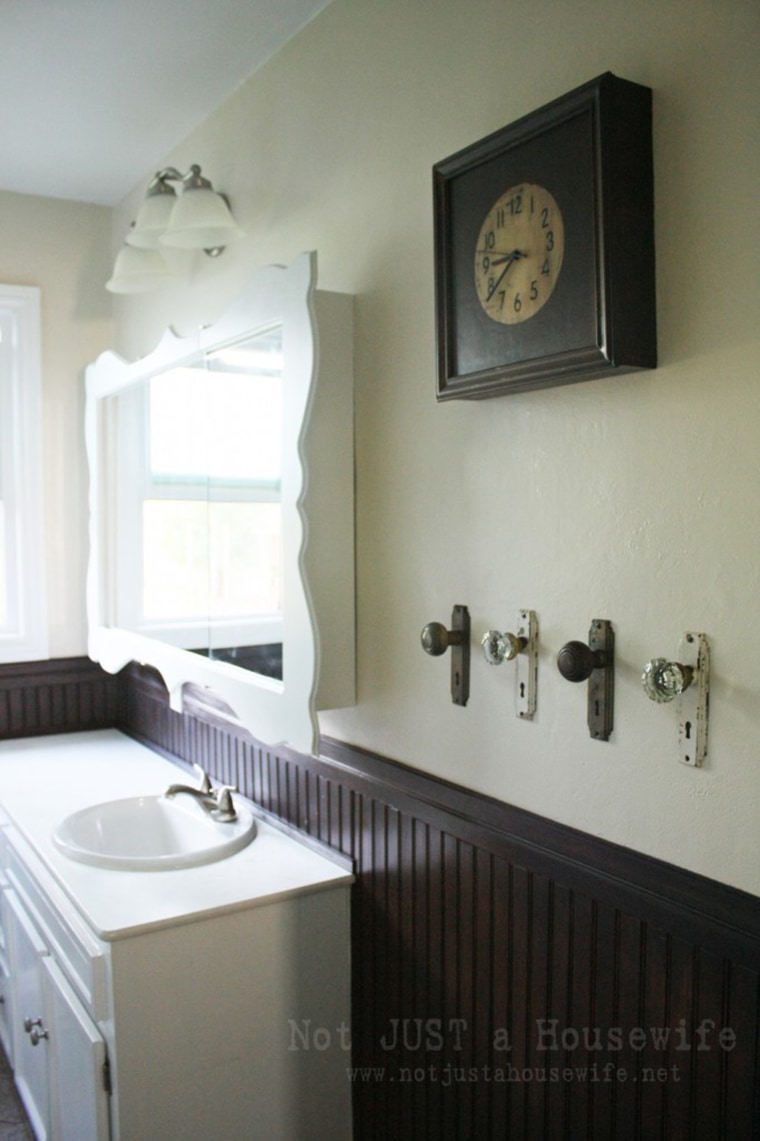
<point x="634" y="499"/>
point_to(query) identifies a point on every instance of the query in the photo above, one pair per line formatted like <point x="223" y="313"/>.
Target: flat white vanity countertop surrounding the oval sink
<point x="44" y="780"/>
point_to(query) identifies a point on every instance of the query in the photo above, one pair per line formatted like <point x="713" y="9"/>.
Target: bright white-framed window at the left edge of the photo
<point x="23" y="612"/>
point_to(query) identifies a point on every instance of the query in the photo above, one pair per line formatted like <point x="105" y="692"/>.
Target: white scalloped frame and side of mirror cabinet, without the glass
<point x="318" y="509"/>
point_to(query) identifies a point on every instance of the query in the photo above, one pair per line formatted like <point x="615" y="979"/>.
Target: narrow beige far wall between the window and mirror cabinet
<point x="62" y="248"/>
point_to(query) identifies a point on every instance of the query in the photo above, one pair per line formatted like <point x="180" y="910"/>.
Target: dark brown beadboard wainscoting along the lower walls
<point x="512" y="978"/>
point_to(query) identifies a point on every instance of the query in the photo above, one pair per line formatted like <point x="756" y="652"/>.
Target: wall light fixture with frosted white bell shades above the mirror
<point x="199" y="219"/>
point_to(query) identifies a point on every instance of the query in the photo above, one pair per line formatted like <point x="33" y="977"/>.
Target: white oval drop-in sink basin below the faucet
<point x="151" y="835"/>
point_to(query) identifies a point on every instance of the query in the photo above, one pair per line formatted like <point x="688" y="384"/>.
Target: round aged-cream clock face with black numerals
<point x="520" y="254"/>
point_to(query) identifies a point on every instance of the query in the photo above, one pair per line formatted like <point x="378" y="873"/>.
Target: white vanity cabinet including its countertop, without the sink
<point x="209" y="1004"/>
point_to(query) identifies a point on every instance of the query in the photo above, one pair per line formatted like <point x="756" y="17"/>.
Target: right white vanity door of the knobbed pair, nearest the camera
<point x="79" y="1098"/>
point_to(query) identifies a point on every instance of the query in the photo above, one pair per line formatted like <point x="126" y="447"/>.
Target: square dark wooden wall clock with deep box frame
<point x="545" y="247"/>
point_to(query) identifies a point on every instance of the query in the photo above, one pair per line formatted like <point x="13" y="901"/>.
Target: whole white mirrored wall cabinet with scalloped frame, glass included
<point x="222" y="514"/>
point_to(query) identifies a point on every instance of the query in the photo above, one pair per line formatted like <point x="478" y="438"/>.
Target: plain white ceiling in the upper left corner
<point x="95" y="93"/>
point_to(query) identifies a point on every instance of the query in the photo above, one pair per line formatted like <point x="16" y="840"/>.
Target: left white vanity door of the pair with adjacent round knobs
<point x="26" y="954"/>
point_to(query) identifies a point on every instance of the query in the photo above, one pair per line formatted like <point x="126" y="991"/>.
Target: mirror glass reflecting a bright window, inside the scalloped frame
<point x="200" y="471"/>
